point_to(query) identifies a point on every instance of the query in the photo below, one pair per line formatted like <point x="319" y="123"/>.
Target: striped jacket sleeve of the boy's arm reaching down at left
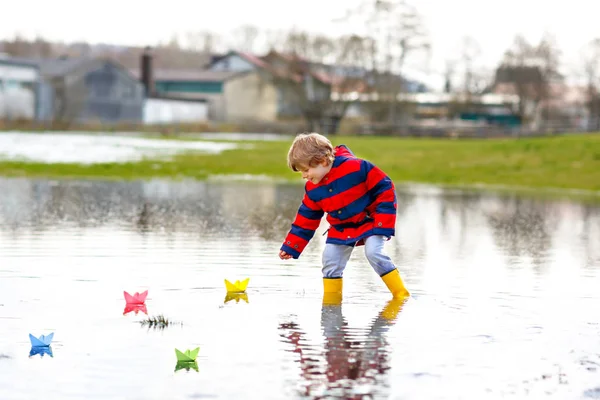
<point x="303" y="229"/>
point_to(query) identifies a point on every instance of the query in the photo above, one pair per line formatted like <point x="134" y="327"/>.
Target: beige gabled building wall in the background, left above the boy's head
<point x="250" y="97"/>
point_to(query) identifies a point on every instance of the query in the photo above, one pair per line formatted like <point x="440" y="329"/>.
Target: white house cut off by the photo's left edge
<point x="19" y="82"/>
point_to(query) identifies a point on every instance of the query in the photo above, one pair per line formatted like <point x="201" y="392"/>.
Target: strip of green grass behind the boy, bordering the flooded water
<point x="571" y="162"/>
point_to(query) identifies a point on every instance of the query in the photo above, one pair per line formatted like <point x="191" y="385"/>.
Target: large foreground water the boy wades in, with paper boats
<point x="505" y="297"/>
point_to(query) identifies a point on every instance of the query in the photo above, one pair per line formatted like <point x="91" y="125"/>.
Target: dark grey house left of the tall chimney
<point x="89" y="90"/>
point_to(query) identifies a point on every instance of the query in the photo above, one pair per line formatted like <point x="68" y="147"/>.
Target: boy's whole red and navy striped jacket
<point x="359" y="199"/>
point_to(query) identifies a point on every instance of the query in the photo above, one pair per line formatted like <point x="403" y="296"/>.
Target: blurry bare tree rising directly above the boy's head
<point x="320" y="77"/>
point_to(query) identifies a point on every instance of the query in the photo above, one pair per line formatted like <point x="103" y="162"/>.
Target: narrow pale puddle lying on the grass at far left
<point x="90" y="149"/>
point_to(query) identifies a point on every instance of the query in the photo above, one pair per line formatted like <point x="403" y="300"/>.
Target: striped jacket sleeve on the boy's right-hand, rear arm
<point x="383" y="199"/>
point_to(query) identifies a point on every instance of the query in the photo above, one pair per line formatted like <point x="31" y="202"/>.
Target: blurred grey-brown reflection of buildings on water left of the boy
<point x="171" y="207"/>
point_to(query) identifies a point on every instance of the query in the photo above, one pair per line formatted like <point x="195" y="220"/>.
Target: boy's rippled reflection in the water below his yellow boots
<point x="352" y="357"/>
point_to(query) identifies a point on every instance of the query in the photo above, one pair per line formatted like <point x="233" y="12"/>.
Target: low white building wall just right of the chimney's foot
<point x="165" y="111"/>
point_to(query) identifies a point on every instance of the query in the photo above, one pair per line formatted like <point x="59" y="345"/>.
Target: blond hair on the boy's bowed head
<point x="309" y="150"/>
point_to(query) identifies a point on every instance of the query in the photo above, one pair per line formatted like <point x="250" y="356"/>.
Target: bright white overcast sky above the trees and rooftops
<point x="492" y="23"/>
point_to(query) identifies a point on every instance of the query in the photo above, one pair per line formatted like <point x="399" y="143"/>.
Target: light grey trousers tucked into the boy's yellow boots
<point x="335" y="257"/>
